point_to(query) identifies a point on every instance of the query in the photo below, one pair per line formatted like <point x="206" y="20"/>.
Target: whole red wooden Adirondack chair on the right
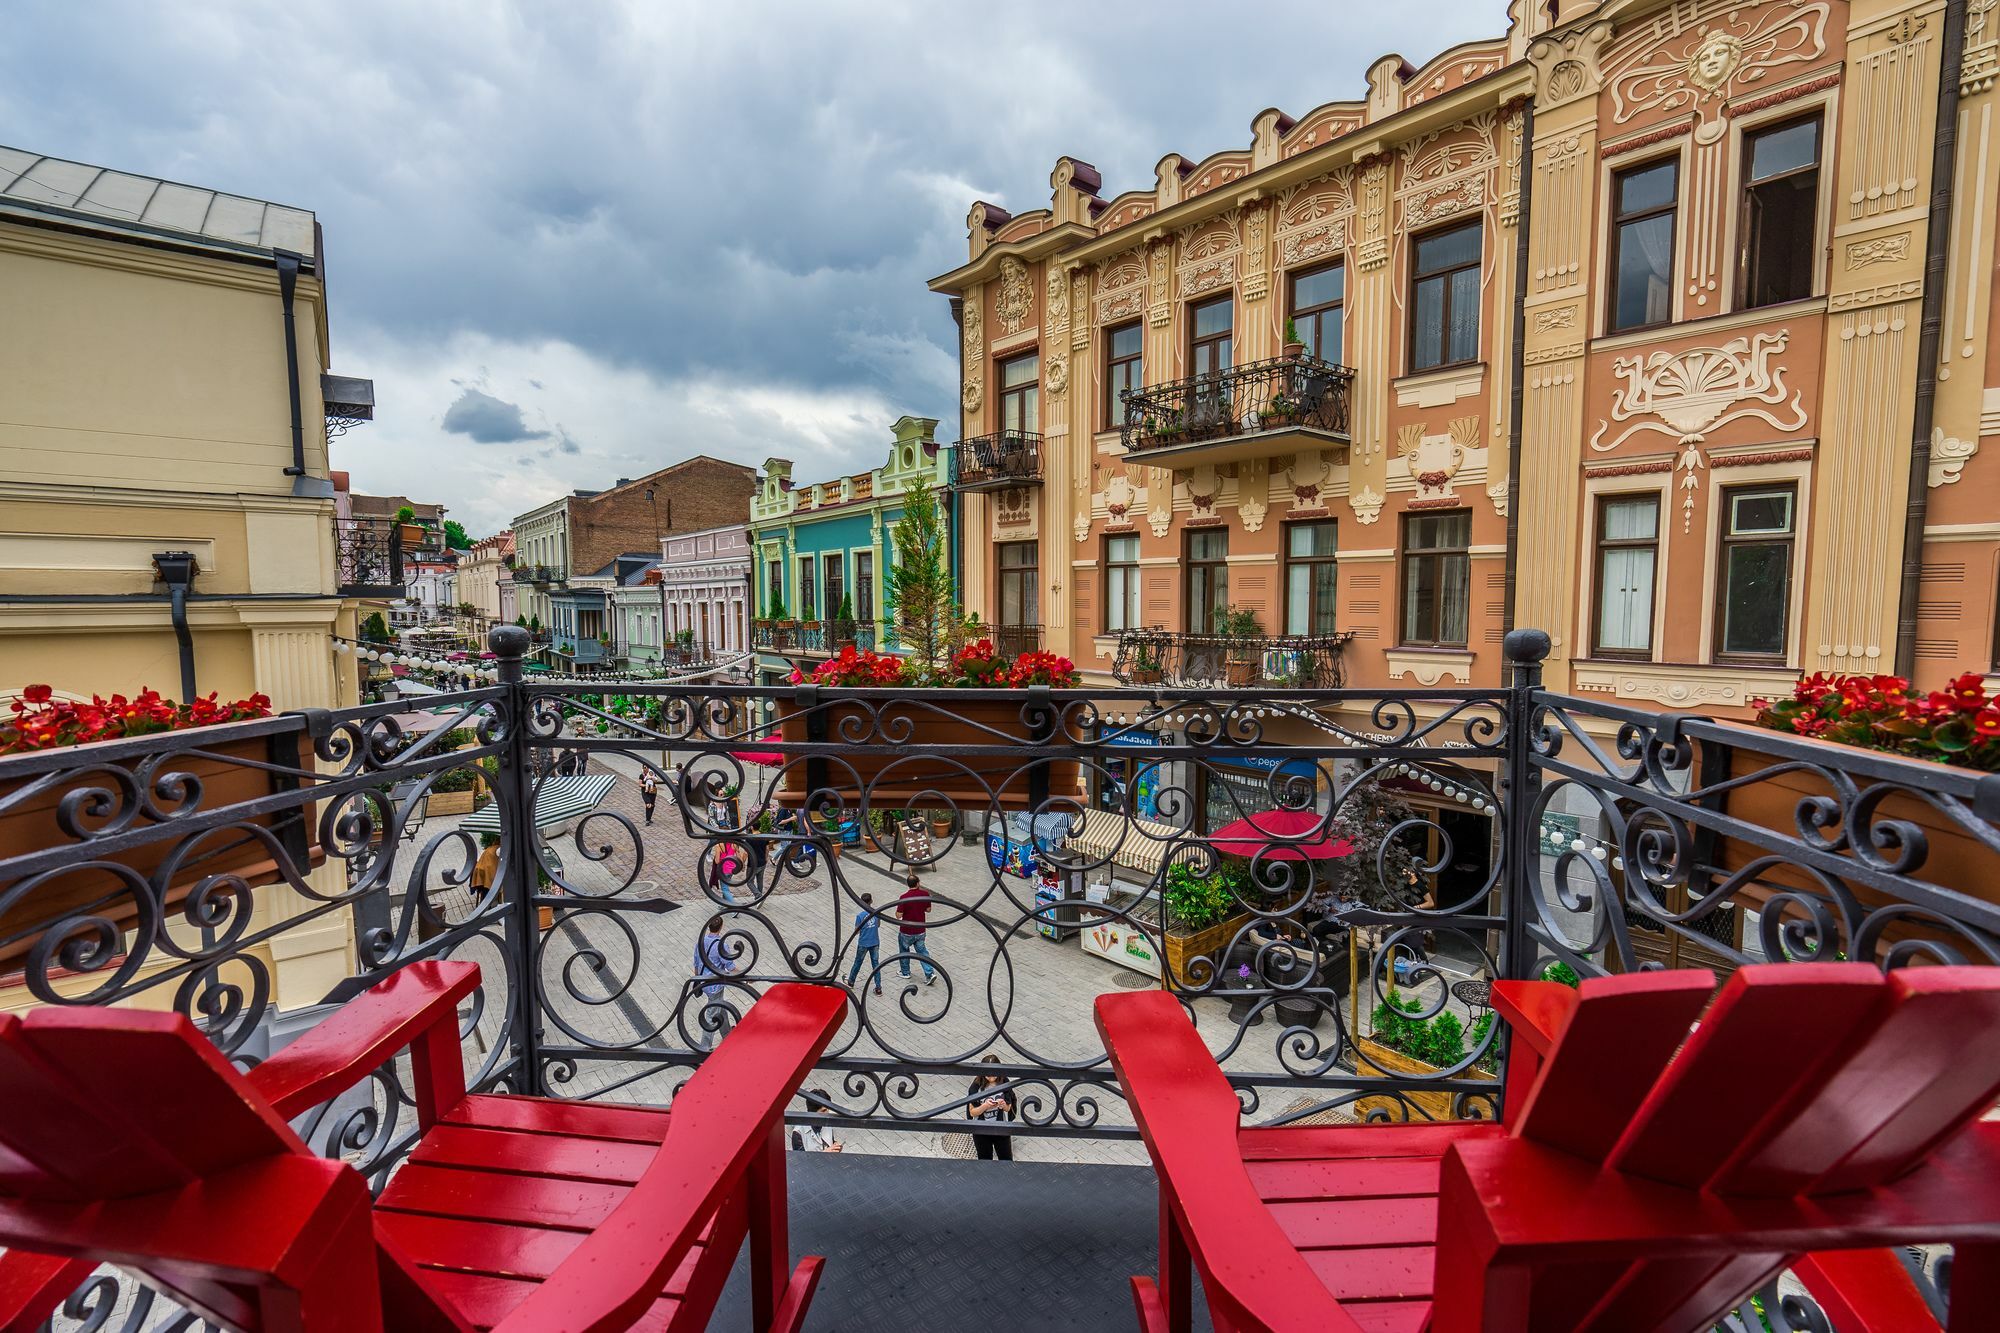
<point x="1647" y="1178"/>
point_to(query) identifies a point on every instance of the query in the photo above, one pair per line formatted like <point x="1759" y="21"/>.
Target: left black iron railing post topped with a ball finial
<point x="517" y="852"/>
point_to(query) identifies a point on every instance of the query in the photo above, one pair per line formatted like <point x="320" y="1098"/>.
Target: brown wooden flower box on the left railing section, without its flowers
<point x="225" y="772"/>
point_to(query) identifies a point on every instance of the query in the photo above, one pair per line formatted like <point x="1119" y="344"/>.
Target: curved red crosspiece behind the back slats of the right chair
<point x="1521" y="1202"/>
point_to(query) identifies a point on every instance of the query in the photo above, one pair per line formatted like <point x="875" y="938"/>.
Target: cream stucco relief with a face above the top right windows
<point x="1721" y="61"/>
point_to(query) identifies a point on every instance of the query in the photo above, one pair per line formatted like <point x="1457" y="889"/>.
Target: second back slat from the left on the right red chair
<point x="1759" y="1056"/>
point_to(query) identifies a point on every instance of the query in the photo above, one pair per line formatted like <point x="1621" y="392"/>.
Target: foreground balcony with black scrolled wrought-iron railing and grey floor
<point x="1493" y="834"/>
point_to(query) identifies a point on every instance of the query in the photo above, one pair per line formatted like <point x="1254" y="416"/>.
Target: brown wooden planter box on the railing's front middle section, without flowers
<point x="903" y="772"/>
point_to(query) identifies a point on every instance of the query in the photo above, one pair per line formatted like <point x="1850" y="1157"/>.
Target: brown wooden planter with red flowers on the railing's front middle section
<point x="899" y="752"/>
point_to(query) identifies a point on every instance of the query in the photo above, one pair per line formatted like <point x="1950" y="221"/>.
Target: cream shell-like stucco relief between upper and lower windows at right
<point x="1697" y="391"/>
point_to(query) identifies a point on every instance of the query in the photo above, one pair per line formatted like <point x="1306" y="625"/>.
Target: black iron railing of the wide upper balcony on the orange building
<point x="1261" y="397"/>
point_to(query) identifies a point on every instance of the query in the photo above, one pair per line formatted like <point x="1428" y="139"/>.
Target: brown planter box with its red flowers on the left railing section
<point x="83" y="760"/>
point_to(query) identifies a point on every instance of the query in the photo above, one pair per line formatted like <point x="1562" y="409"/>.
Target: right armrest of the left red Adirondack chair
<point x="719" y="1124"/>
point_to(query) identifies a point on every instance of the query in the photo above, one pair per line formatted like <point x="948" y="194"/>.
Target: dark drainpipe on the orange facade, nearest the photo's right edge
<point x="1937" y="255"/>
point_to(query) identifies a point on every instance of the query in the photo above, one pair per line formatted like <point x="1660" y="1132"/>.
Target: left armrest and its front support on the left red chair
<point x="411" y="1008"/>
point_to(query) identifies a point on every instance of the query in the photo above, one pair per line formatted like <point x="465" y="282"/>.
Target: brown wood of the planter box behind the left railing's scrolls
<point x="33" y="826"/>
